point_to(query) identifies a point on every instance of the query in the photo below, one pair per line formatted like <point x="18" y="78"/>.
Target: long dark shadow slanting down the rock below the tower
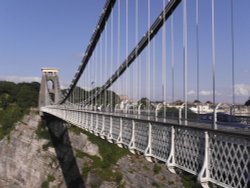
<point x="64" y="151"/>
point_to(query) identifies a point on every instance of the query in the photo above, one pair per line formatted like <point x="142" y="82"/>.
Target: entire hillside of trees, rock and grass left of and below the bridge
<point x="47" y="152"/>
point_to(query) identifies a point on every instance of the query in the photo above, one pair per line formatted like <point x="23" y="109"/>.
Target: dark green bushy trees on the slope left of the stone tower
<point x="15" y="101"/>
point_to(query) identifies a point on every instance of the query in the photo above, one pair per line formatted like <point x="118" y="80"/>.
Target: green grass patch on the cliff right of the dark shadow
<point x="102" y="167"/>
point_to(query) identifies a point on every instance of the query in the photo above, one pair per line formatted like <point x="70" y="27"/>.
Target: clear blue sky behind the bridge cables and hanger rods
<point x="53" y="33"/>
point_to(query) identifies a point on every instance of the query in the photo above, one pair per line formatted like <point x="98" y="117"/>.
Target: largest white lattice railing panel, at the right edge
<point x="229" y="160"/>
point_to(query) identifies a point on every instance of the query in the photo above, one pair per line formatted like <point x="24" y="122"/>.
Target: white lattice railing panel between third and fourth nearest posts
<point x="141" y="135"/>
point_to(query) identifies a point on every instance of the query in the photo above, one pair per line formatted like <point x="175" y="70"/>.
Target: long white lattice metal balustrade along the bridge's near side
<point x="215" y="156"/>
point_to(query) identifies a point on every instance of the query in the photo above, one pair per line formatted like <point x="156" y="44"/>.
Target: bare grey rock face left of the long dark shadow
<point x="22" y="162"/>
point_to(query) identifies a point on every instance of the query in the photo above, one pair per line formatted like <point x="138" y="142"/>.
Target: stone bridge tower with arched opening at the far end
<point x="50" y="88"/>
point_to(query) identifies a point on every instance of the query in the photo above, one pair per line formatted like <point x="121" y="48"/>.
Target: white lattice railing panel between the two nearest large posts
<point x="189" y="149"/>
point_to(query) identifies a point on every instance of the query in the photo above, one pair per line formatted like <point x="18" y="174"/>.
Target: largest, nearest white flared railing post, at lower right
<point x="204" y="175"/>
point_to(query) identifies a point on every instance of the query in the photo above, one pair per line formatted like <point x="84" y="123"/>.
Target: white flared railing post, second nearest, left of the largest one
<point x="171" y="158"/>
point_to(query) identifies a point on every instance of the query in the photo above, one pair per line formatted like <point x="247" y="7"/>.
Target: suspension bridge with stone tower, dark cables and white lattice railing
<point x="137" y="65"/>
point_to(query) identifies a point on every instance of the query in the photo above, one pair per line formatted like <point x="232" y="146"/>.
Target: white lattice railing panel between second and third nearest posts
<point x="161" y="141"/>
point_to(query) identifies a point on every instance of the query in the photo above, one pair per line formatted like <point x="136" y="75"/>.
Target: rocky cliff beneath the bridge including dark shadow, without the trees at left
<point x="72" y="161"/>
